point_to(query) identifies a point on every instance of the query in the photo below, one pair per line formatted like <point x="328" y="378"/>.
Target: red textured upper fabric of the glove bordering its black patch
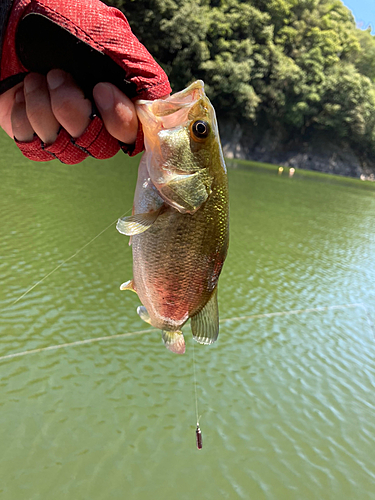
<point x="105" y="29"/>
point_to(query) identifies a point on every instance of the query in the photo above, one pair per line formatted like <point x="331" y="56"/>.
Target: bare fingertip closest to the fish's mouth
<point x="117" y="111"/>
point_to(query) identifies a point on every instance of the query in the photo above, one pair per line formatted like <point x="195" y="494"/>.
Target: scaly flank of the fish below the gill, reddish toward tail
<point x="176" y="266"/>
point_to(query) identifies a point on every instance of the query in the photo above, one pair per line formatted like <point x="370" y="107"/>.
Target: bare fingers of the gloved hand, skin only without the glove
<point x="41" y="105"/>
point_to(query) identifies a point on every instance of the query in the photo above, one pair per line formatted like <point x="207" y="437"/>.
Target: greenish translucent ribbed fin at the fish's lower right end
<point x="205" y="324"/>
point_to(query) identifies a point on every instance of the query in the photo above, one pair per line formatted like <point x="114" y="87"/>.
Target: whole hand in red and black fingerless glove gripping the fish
<point x="94" y="43"/>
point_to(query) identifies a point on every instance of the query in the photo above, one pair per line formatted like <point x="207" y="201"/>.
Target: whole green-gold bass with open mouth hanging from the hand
<point x="179" y="227"/>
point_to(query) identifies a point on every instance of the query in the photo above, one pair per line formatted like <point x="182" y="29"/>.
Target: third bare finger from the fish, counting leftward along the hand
<point x="38" y="108"/>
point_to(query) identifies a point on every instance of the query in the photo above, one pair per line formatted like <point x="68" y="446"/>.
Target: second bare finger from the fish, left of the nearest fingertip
<point x="68" y="102"/>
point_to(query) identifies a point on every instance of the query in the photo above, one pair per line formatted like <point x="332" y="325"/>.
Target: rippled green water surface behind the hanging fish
<point x="287" y="400"/>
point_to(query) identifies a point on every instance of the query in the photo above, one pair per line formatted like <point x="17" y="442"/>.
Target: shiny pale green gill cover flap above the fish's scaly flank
<point x="187" y="192"/>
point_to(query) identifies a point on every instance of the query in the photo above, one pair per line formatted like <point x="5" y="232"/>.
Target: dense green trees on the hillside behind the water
<point x="297" y="64"/>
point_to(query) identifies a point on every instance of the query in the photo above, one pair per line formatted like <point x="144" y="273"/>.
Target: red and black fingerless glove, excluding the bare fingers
<point x="91" y="41"/>
